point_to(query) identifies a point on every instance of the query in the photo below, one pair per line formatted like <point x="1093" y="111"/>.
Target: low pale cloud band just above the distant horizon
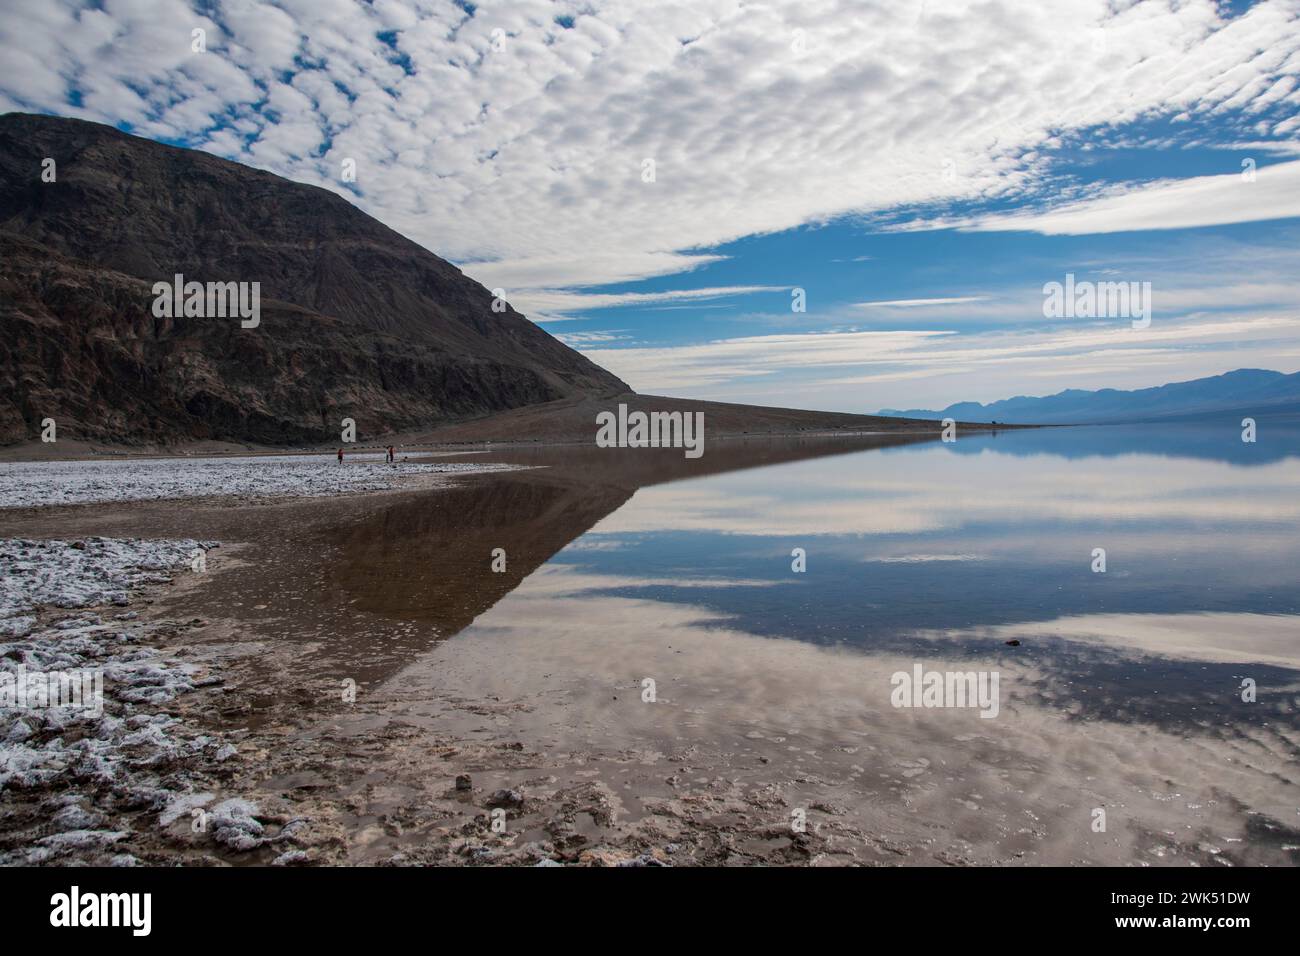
<point x="947" y="367"/>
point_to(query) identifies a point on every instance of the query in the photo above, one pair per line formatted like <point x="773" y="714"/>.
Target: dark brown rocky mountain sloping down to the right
<point x="357" y="322"/>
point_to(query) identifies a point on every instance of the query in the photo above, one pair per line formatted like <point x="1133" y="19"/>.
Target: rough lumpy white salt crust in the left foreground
<point x="80" y="764"/>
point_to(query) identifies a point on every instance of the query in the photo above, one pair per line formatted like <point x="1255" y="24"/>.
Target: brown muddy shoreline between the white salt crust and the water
<point x="323" y="778"/>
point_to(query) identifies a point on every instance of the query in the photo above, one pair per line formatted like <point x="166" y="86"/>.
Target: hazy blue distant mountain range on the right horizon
<point x="1247" y="392"/>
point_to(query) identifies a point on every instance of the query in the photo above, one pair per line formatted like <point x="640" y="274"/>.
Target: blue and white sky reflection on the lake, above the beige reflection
<point x="989" y="540"/>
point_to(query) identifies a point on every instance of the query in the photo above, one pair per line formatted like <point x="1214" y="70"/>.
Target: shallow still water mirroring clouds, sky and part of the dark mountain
<point x="1130" y="689"/>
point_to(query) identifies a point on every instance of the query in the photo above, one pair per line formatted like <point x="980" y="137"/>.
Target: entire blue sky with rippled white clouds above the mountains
<point x="920" y="170"/>
